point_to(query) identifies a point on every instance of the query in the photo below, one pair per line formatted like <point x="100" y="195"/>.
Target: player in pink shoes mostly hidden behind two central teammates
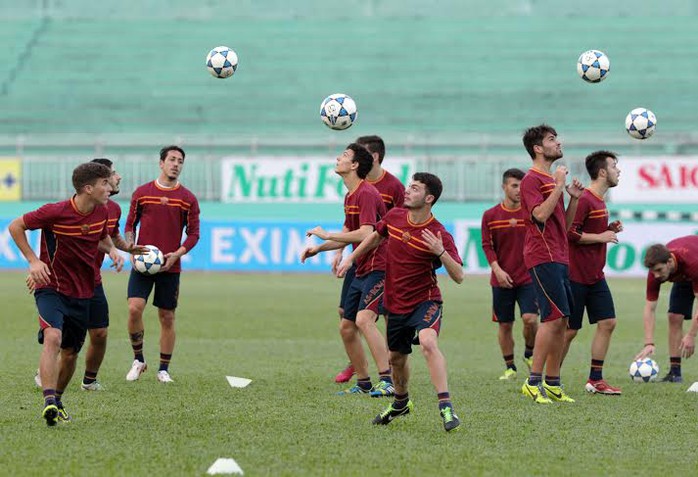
<point x="392" y="192"/>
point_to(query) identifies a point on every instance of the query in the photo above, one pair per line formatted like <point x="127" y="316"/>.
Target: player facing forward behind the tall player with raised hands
<point x="503" y="233"/>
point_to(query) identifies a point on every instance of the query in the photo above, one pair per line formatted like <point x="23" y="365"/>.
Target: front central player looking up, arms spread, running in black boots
<point x="417" y="244"/>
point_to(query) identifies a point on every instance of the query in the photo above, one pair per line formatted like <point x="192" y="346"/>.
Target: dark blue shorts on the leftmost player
<point x="67" y="314"/>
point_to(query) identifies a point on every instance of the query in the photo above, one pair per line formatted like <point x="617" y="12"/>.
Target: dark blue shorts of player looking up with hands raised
<point x="553" y="292"/>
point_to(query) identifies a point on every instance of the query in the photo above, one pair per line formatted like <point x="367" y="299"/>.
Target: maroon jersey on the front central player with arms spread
<point x="410" y="274"/>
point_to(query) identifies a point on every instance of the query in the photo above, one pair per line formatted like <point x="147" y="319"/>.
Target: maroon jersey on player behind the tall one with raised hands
<point x="503" y="234"/>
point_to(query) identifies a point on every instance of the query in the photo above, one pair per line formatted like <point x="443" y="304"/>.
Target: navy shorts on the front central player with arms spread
<point x="402" y="328"/>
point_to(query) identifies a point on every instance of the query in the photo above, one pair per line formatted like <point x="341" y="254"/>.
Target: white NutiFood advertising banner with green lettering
<point x="292" y="179"/>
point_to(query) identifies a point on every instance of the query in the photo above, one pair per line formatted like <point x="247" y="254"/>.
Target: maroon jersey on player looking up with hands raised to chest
<point x="545" y="242"/>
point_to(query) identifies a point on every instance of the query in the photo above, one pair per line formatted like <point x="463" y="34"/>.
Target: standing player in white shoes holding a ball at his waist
<point x="163" y="208"/>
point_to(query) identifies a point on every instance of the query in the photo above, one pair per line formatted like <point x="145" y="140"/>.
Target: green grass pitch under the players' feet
<point x="280" y="331"/>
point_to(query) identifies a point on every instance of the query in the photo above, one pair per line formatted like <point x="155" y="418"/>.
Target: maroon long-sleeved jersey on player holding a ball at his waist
<point x="163" y="213"/>
